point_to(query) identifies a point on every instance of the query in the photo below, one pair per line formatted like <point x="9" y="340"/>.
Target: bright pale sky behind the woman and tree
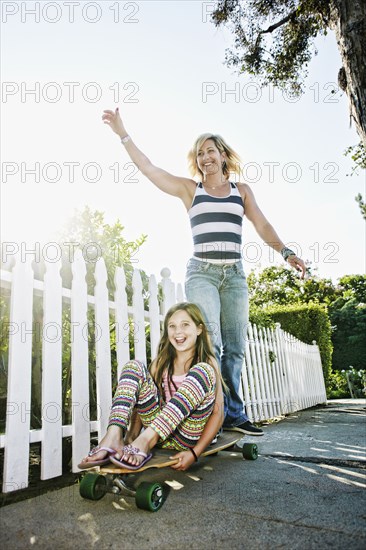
<point x="162" y="64"/>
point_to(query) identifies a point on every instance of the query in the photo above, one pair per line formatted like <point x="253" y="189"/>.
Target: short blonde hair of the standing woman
<point x="232" y="159"/>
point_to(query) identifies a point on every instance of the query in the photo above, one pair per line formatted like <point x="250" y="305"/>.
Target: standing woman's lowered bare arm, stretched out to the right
<point x="264" y="229"/>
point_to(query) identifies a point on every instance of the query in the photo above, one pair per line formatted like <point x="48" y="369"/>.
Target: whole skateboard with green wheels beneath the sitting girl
<point x="152" y="495"/>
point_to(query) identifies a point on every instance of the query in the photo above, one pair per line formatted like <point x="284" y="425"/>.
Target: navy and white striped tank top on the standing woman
<point x="216" y="224"/>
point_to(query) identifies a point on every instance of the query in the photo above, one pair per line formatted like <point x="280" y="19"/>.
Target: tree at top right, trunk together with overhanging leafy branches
<point x="274" y="40"/>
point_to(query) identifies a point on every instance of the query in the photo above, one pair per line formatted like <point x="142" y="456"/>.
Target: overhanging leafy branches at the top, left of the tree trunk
<point x="278" y="53"/>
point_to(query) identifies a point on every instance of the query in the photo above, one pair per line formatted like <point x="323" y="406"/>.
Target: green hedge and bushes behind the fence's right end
<point x="277" y="295"/>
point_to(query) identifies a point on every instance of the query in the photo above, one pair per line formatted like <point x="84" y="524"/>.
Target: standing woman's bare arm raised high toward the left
<point x="183" y="188"/>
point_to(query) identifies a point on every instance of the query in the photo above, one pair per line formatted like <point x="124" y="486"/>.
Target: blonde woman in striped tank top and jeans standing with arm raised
<point x="215" y="279"/>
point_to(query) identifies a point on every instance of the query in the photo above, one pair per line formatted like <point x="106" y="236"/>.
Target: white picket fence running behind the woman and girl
<point x="281" y="374"/>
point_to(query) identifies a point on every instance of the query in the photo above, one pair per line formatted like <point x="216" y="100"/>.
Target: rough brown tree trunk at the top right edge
<point x="348" y="20"/>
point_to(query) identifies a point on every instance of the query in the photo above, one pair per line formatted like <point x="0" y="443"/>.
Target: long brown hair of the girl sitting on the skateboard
<point x="167" y="353"/>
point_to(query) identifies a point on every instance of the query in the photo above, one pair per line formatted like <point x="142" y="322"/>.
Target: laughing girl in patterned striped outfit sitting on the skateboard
<point x="179" y="402"/>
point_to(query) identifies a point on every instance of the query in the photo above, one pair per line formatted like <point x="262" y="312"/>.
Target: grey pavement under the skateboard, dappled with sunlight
<point x="305" y="491"/>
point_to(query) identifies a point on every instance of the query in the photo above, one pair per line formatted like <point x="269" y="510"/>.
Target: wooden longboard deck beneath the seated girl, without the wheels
<point x="161" y="456"/>
